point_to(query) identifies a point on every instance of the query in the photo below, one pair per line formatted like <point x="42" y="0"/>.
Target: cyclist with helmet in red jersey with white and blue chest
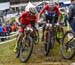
<point x="49" y="10"/>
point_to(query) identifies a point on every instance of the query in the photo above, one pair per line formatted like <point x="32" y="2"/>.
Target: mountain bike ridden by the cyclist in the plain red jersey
<point x="25" y="45"/>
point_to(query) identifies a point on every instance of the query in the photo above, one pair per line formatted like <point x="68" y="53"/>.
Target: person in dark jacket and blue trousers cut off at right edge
<point x="72" y="15"/>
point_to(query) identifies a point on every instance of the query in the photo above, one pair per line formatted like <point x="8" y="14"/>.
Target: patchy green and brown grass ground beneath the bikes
<point x="8" y="57"/>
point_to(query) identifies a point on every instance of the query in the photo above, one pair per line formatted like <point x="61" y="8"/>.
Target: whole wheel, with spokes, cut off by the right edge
<point x="67" y="45"/>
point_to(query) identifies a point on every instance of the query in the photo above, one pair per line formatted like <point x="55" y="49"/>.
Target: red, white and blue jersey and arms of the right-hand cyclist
<point x="48" y="9"/>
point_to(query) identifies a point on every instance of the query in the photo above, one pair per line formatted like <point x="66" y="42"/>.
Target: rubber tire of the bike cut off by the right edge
<point x="61" y="46"/>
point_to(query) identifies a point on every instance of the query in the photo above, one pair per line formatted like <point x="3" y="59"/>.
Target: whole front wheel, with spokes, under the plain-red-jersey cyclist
<point x="26" y="49"/>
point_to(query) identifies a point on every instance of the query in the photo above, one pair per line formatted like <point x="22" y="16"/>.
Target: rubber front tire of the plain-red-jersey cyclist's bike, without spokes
<point x="24" y="60"/>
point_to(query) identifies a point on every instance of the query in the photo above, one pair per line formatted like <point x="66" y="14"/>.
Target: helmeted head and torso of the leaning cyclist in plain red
<point x="28" y="17"/>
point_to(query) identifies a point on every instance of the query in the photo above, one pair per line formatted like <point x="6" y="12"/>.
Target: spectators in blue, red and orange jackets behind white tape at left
<point x="6" y="29"/>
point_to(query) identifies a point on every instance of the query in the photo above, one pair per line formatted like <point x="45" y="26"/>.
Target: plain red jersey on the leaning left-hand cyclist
<point x="26" y="18"/>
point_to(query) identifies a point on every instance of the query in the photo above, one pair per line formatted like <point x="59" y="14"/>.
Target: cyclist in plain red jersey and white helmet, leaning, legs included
<point x="25" y="19"/>
